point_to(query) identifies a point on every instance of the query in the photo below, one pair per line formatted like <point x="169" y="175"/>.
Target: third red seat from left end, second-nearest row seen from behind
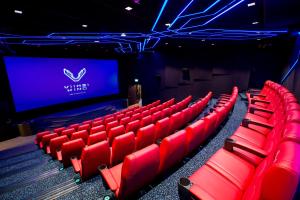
<point x="145" y="137"/>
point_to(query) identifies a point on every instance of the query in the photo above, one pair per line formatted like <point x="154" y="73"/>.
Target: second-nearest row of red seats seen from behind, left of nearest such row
<point x="86" y="159"/>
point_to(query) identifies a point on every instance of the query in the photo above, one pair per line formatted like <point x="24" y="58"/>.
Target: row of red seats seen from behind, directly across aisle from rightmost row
<point x="143" y="166"/>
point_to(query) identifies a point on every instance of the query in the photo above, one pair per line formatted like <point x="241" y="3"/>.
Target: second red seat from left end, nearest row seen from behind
<point x="172" y="150"/>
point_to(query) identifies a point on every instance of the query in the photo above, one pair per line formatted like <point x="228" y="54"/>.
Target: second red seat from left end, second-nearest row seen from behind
<point x="122" y="146"/>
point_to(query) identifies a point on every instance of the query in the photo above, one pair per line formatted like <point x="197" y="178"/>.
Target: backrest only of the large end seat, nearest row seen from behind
<point x="138" y="170"/>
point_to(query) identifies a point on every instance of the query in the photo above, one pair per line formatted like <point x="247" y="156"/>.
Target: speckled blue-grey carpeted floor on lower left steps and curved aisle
<point x="34" y="175"/>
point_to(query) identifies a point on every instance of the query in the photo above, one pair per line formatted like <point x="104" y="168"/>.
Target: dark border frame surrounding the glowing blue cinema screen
<point x="60" y="106"/>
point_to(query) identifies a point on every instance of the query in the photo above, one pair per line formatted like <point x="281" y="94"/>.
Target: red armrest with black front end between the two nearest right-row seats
<point x="230" y="144"/>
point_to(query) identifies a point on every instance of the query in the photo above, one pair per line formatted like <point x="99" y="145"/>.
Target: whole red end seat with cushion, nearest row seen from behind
<point x="137" y="170"/>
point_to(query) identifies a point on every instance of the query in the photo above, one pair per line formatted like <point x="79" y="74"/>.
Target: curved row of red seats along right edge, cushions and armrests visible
<point x="261" y="159"/>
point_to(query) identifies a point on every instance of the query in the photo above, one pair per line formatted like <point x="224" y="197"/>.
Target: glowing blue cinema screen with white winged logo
<point x="41" y="82"/>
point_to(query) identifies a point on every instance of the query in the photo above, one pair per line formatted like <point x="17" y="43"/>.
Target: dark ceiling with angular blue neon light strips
<point x="60" y="23"/>
